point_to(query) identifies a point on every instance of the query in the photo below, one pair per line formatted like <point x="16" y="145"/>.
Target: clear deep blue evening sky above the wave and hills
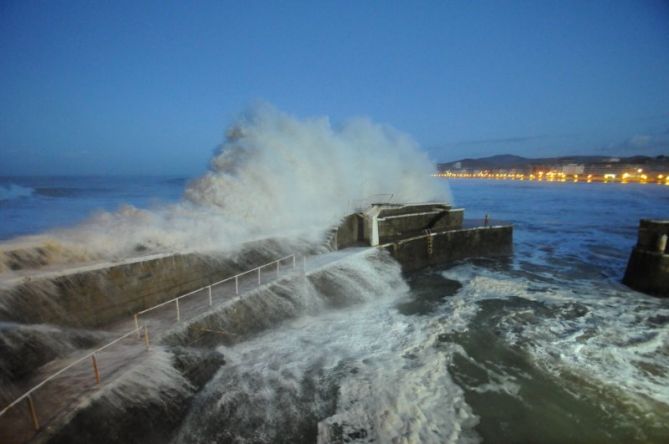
<point x="128" y="87"/>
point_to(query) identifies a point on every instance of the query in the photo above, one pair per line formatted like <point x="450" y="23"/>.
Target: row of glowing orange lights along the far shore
<point x="637" y="176"/>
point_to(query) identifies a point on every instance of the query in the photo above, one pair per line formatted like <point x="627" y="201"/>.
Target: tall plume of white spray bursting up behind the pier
<point x="298" y="173"/>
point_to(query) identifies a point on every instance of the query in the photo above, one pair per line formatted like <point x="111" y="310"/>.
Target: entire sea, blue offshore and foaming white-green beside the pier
<point x="546" y="345"/>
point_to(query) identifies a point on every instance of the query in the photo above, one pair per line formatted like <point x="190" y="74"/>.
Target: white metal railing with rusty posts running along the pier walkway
<point x="142" y="331"/>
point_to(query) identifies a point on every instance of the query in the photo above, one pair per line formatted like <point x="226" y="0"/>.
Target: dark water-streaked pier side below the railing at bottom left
<point x="141" y="405"/>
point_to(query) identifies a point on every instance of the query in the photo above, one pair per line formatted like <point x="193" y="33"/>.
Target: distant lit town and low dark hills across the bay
<point x="587" y="169"/>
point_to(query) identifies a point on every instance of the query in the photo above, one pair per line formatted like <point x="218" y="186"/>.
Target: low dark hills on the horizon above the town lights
<point x="509" y="161"/>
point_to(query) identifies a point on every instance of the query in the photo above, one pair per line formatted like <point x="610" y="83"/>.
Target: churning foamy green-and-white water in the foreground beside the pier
<point x="558" y="357"/>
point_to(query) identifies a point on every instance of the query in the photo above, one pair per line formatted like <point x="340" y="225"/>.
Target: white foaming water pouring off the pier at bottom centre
<point x="364" y="372"/>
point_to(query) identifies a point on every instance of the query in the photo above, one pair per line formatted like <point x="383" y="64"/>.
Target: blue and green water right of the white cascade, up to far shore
<point x="557" y="350"/>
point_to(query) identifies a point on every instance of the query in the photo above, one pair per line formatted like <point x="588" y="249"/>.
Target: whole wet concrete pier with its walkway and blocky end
<point x="185" y="332"/>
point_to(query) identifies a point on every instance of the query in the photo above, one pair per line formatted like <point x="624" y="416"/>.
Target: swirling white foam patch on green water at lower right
<point x="596" y="333"/>
